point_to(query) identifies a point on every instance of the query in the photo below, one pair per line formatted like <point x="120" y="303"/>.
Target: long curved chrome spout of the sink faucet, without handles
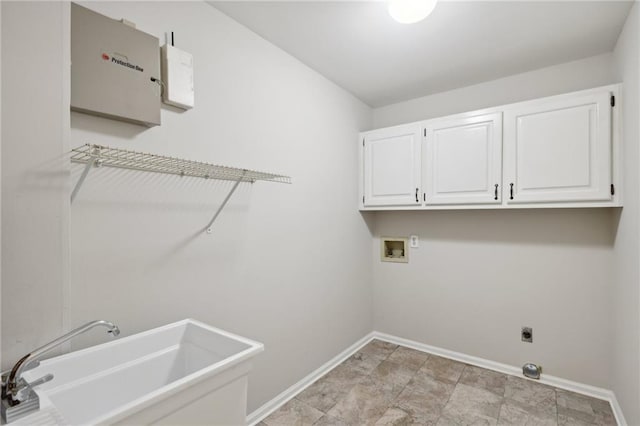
<point x="11" y="384"/>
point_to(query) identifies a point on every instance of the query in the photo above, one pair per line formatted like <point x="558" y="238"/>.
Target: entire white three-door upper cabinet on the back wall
<point x="560" y="151"/>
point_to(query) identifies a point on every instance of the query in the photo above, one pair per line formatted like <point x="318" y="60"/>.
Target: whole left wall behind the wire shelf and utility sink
<point x="287" y="265"/>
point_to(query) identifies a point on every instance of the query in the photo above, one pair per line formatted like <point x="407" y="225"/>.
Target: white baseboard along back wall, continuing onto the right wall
<point x="546" y="379"/>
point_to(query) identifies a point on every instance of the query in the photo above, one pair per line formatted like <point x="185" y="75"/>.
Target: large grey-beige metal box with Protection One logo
<point x="115" y="69"/>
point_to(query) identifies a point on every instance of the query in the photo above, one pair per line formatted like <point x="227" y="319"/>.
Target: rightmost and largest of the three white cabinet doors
<point x="559" y="149"/>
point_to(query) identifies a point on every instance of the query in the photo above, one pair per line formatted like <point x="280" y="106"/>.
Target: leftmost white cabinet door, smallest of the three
<point x="391" y="166"/>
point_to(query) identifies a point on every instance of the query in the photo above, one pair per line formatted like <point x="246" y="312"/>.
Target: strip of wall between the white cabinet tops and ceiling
<point x="567" y="77"/>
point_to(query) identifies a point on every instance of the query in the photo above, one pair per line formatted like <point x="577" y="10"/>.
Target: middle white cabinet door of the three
<point x="464" y="160"/>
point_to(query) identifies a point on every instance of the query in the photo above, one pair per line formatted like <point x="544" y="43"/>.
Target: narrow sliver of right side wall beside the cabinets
<point x="625" y="361"/>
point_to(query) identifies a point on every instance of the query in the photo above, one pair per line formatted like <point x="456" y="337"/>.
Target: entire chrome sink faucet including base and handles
<point x="16" y="391"/>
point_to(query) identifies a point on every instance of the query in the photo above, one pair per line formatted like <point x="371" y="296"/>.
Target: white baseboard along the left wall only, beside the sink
<point x="277" y="402"/>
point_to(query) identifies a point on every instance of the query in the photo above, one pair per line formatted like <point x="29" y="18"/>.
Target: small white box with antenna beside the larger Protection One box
<point x="177" y="77"/>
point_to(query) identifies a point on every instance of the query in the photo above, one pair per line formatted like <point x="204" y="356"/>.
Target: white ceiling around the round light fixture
<point x="359" y="47"/>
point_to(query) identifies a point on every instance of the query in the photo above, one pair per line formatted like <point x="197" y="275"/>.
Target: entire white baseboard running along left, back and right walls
<point x="281" y="399"/>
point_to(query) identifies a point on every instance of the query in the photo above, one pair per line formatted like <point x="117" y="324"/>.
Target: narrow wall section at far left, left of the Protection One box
<point x="34" y="174"/>
